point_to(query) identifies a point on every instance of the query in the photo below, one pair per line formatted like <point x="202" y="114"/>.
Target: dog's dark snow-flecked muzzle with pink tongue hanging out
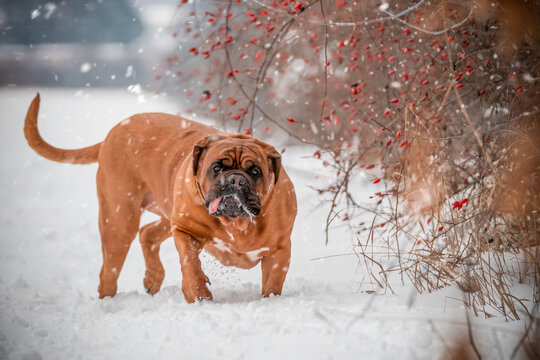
<point x="234" y="195"/>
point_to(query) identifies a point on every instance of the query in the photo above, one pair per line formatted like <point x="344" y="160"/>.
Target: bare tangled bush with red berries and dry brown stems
<point x="435" y="100"/>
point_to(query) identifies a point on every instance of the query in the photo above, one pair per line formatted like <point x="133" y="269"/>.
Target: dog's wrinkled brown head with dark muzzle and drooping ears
<point x="236" y="173"/>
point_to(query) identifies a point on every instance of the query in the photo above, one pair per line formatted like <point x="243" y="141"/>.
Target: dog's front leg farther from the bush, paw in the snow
<point x="193" y="278"/>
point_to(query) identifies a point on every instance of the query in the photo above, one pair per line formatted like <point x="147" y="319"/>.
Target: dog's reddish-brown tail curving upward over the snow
<point x="85" y="155"/>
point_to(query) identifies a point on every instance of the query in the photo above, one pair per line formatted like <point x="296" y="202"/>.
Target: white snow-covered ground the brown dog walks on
<point x="50" y="258"/>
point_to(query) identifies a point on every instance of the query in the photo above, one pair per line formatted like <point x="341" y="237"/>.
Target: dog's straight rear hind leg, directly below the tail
<point x="119" y="216"/>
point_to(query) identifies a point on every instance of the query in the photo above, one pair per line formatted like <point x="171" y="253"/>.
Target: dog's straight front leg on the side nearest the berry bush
<point x="274" y="270"/>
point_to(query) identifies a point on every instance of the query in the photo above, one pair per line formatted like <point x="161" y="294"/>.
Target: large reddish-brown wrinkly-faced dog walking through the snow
<point x="226" y="193"/>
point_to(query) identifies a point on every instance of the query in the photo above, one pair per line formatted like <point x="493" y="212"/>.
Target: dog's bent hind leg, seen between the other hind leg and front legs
<point x="151" y="236"/>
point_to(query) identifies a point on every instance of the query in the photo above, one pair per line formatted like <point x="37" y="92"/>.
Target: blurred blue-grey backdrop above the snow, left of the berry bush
<point x="83" y="43"/>
